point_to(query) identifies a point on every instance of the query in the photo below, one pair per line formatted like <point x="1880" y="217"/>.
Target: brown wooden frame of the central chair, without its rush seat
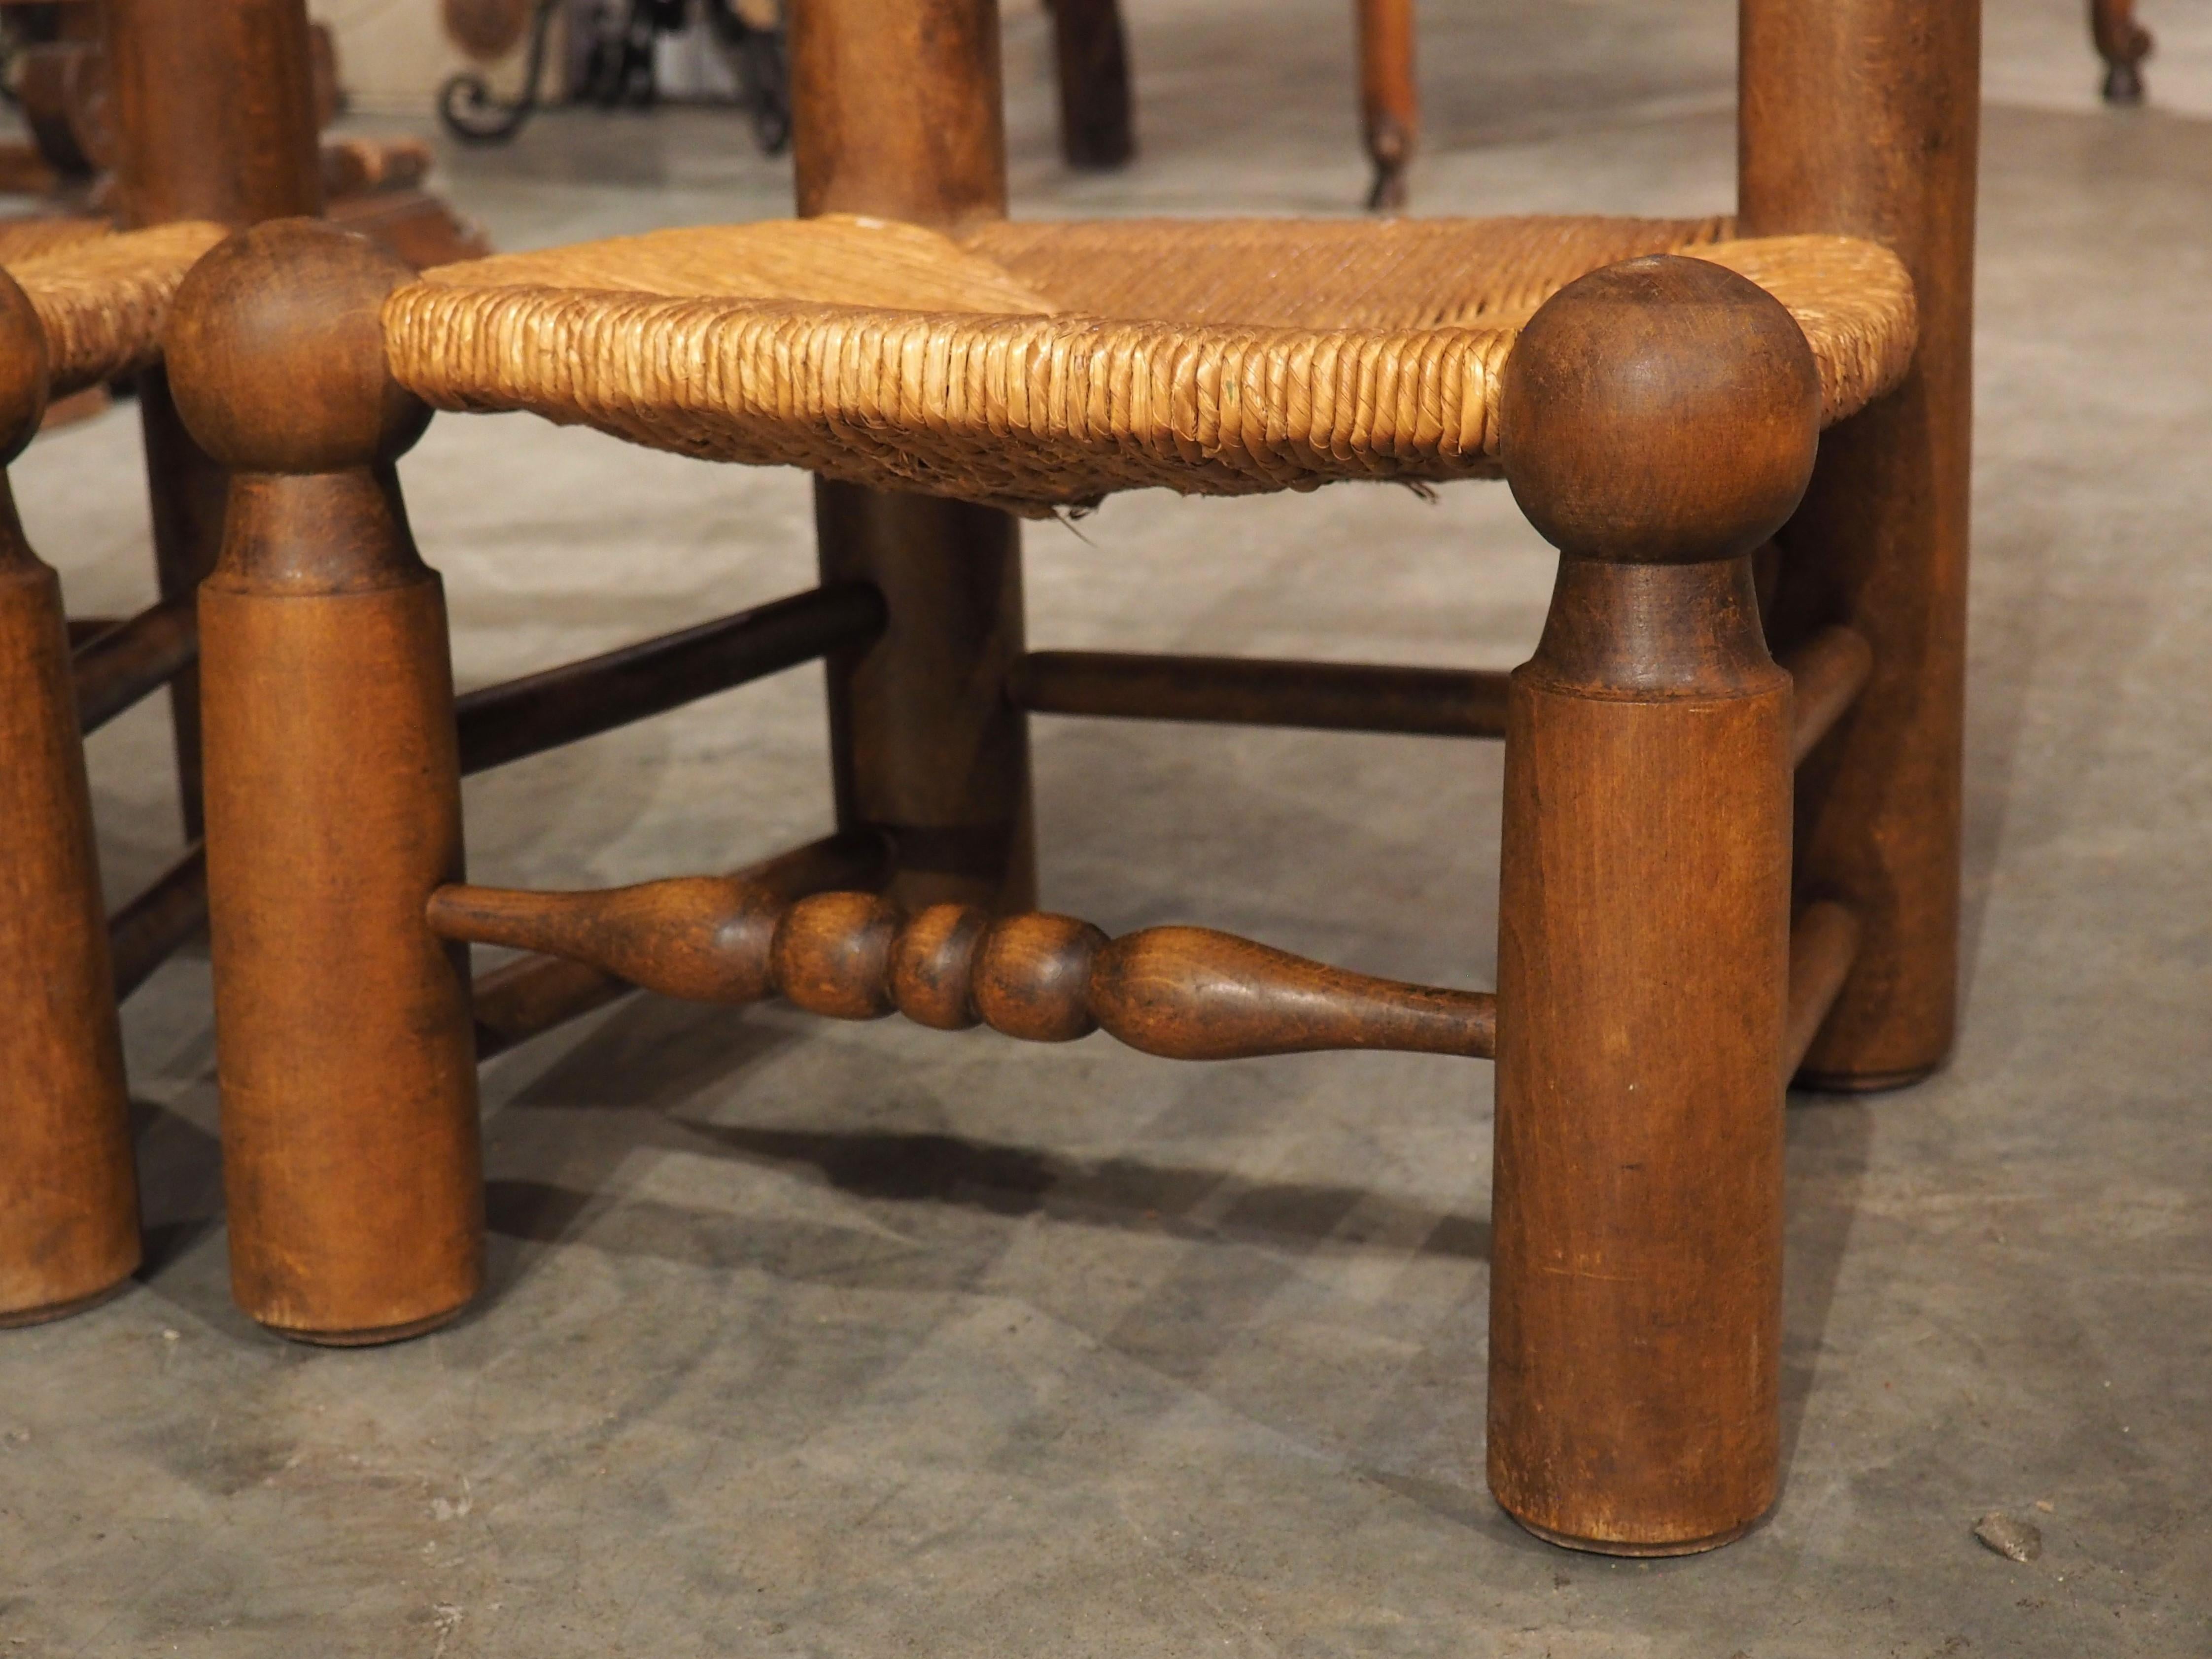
<point x="1718" y="870"/>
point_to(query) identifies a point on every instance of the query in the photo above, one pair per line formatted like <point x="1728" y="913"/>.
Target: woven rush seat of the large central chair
<point x="1043" y="366"/>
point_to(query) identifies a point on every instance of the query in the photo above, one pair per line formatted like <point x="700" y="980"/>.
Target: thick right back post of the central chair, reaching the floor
<point x="1861" y="118"/>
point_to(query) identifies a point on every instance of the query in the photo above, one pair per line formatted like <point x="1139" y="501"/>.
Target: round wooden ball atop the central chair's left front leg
<point x="278" y="353"/>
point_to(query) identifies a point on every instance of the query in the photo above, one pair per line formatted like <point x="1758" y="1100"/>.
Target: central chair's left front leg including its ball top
<point x="344" y="1036"/>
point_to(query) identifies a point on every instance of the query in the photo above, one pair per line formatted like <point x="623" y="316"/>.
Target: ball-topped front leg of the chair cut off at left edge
<point x="67" y="1187"/>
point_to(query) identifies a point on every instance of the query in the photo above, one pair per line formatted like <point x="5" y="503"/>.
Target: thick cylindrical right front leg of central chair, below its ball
<point x="1642" y="974"/>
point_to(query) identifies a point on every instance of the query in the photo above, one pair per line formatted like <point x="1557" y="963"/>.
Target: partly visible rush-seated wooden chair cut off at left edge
<point x="213" y="132"/>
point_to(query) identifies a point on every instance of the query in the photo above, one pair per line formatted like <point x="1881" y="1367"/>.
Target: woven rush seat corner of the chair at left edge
<point x="101" y="298"/>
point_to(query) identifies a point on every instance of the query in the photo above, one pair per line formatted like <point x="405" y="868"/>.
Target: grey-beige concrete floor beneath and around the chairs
<point x="811" y="1339"/>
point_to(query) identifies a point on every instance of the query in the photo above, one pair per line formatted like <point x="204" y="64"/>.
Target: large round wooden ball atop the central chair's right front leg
<point x="1660" y="413"/>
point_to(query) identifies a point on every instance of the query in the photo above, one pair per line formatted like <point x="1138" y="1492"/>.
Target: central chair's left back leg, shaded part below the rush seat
<point x="926" y="742"/>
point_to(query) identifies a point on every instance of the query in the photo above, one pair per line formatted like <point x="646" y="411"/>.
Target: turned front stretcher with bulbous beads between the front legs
<point x="1173" y="992"/>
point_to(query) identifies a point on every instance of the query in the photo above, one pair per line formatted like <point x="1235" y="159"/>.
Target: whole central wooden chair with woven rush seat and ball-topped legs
<point x="1678" y="939"/>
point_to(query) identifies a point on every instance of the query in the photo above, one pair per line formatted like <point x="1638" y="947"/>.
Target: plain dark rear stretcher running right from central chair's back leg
<point x="1260" y="691"/>
